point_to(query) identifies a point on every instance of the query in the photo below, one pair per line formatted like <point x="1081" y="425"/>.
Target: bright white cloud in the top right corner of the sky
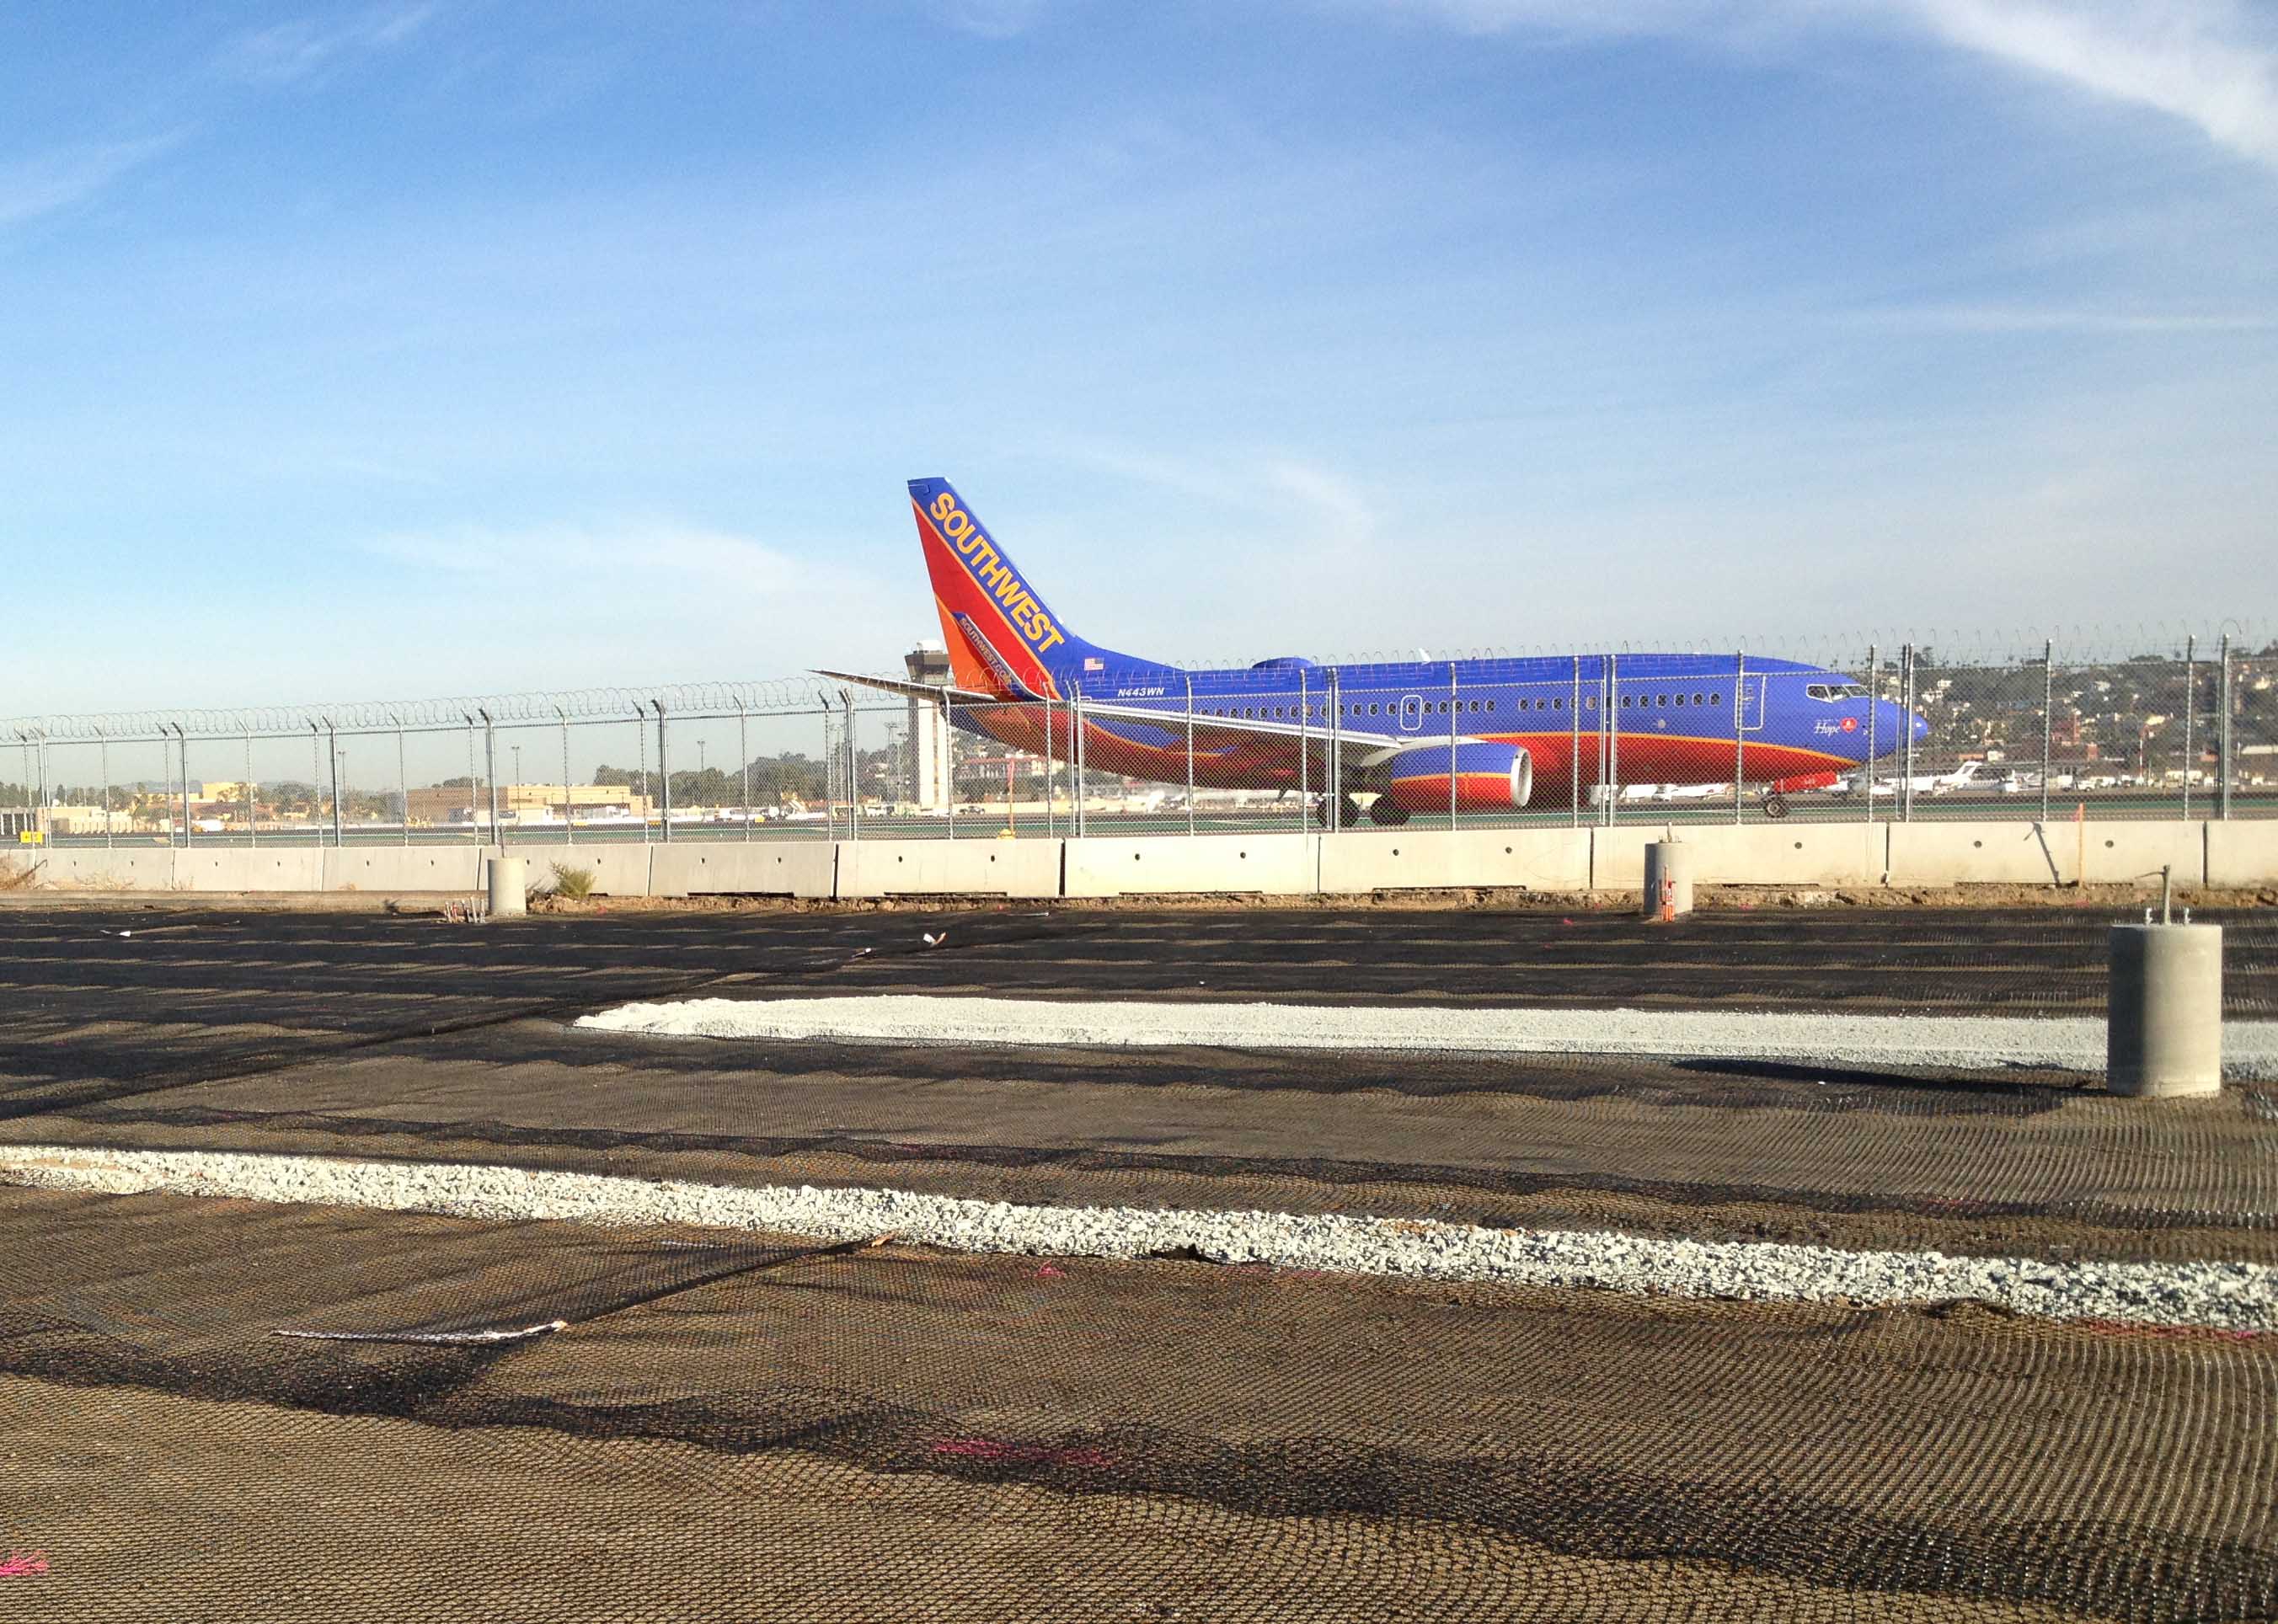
<point x="2209" y="63"/>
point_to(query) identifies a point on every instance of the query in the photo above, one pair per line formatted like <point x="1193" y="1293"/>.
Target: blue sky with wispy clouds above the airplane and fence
<point x="468" y="347"/>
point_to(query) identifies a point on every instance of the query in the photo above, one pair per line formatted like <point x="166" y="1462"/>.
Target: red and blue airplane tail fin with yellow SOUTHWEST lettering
<point x="1001" y="634"/>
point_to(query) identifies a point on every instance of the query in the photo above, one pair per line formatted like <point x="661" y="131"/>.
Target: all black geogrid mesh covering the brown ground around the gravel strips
<point x="767" y="1429"/>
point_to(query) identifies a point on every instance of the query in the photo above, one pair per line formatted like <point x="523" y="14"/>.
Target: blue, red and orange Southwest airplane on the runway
<point x="1450" y="737"/>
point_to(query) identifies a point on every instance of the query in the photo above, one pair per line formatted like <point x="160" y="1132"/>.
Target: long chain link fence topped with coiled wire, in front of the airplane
<point x="2181" y="732"/>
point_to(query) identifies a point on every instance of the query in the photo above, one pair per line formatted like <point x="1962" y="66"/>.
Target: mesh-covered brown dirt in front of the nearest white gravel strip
<point x="792" y="1432"/>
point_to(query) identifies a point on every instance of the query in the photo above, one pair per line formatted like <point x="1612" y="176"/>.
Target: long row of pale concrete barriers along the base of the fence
<point x="1350" y="862"/>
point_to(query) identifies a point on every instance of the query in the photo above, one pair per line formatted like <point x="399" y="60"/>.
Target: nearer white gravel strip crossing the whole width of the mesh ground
<point x="2222" y="1295"/>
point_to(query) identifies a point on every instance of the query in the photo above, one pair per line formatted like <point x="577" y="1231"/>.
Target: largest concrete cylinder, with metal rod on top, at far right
<point x="2165" y="1026"/>
